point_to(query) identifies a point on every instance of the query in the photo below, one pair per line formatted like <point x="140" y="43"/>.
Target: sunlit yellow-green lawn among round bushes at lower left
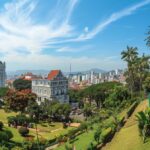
<point x="45" y="130"/>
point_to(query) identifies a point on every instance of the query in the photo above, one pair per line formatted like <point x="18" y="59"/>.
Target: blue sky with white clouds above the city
<point x="52" y="34"/>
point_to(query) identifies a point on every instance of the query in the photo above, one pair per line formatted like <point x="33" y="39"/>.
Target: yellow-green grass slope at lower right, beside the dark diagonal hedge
<point x="128" y="137"/>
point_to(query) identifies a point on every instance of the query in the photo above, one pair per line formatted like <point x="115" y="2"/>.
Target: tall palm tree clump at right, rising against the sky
<point x="137" y="69"/>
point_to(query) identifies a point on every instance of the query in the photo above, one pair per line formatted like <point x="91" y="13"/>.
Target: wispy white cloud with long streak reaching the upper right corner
<point x="23" y="33"/>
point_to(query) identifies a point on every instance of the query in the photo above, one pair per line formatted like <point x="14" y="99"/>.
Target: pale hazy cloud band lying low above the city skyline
<point x="36" y="61"/>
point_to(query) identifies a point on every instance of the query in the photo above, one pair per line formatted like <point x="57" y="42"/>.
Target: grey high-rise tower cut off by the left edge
<point x="2" y="74"/>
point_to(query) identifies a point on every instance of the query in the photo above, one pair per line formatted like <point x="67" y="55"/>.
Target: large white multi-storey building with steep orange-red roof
<point x="54" y="87"/>
